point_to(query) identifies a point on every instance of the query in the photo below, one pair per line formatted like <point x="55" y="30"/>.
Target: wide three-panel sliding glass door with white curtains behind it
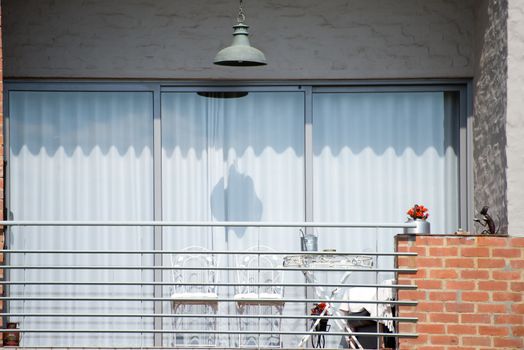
<point x="173" y="153"/>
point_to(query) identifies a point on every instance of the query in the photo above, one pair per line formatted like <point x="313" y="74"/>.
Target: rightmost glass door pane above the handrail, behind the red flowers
<point x="377" y="154"/>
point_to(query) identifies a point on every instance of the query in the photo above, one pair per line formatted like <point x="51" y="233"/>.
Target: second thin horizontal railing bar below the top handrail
<point x="56" y="267"/>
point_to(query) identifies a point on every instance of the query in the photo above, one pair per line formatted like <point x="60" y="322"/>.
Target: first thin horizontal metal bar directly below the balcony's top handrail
<point x="210" y="252"/>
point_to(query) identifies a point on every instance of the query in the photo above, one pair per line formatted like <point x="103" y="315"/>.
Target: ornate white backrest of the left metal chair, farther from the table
<point x="195" y="266"/>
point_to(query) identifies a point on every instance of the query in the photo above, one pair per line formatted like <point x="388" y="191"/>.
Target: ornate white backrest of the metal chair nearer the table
<point x="261" y="258"/>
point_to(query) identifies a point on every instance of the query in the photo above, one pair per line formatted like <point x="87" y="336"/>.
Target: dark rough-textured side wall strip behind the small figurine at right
<point x="489" y="123"/>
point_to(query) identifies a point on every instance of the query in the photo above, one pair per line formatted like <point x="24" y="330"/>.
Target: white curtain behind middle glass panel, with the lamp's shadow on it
<point x="233" y="159"/>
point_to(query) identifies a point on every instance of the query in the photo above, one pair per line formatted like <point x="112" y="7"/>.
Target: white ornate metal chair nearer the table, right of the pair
<point x="260" y="293"/>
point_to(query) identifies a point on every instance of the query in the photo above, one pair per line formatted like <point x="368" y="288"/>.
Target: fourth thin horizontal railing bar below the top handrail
<point x="242" y="301"/>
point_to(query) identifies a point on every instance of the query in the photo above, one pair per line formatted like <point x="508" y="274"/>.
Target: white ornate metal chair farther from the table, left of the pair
<point x="194" y="276"/>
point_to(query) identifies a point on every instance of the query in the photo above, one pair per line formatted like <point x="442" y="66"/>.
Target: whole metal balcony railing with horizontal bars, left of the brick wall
<point x="258" y="298"/>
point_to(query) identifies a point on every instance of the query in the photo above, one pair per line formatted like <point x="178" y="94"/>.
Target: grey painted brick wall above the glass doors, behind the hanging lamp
<point x="177" y="39"/>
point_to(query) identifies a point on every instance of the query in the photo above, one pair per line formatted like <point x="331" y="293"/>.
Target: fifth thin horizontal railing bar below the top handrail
<point x="26" y="314"/>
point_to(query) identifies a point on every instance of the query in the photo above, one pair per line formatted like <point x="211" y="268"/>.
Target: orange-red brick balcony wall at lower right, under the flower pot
<point x="470" y="292"/>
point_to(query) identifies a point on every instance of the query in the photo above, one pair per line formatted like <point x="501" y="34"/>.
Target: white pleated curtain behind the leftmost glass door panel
<point x="81" y="156"/>
